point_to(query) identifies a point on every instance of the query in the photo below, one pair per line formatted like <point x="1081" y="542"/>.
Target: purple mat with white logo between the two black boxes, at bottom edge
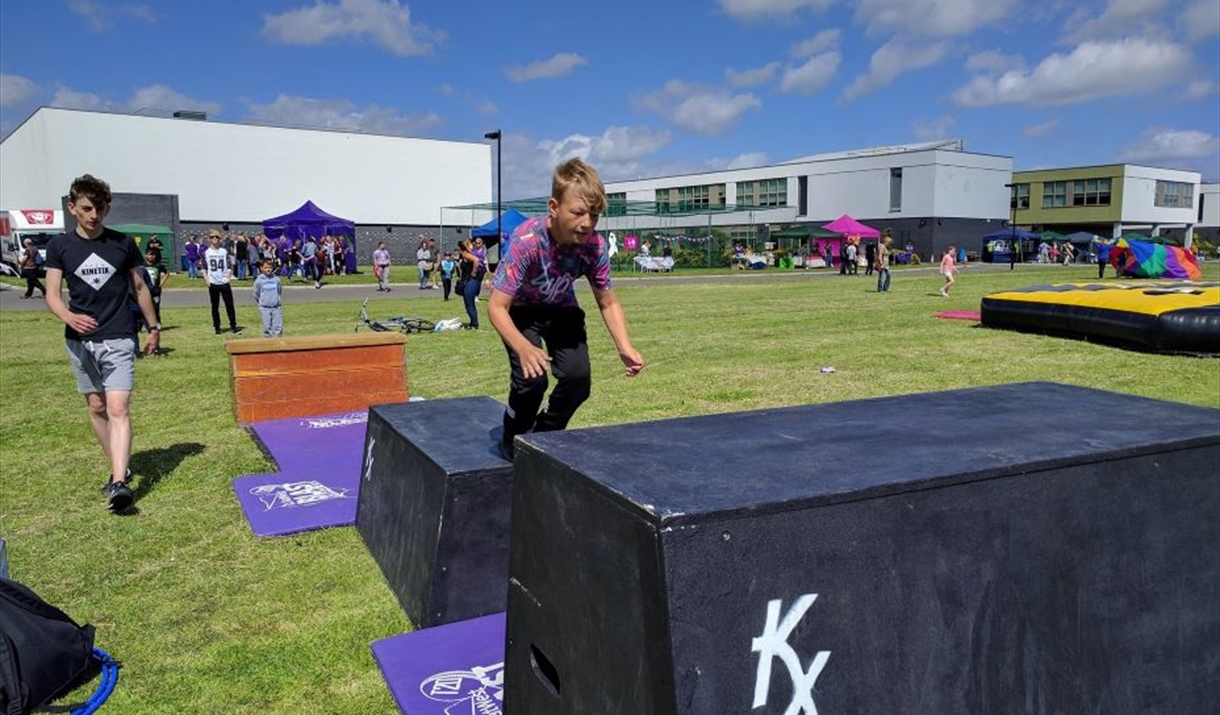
<point x="457" y="669"/>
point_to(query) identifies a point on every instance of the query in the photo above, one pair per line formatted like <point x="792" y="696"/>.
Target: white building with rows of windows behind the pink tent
<point x="929" y="195"/>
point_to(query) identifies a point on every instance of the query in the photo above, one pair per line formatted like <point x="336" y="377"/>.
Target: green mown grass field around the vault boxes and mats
<point x="209" y="619"/>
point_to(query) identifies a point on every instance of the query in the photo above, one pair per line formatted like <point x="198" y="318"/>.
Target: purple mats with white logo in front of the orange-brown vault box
<point x="319" y="478"/>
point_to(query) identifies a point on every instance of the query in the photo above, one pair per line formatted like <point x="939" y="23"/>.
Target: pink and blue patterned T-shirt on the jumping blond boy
<point x="537" y="271"/>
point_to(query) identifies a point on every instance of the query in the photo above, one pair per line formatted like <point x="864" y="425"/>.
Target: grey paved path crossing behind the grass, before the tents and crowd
<point x="197" y="296"/>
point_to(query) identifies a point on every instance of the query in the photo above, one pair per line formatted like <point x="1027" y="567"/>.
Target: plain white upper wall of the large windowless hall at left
<point x="242" y="174"/>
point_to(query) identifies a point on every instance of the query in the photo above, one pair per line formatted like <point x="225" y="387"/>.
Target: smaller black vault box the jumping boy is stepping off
<point x="434" y="507"/>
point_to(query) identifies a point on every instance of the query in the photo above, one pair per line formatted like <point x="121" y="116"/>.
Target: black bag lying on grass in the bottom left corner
<point x="43" y="652"/>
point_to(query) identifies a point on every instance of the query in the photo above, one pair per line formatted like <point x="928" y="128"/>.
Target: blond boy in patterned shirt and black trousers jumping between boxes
<point x="534" y="304"/>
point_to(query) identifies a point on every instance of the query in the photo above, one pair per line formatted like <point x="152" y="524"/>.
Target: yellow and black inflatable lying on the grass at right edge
<point x="1166" y="317"/>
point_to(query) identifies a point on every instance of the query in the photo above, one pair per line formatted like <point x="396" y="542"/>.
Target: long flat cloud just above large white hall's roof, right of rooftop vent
<point x="342" y="114"/>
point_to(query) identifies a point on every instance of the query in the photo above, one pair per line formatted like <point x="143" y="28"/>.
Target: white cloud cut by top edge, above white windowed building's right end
<point x="931" y="18"/>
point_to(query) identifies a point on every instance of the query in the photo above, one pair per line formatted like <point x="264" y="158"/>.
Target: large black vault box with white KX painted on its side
<point x="1028" y="548"/>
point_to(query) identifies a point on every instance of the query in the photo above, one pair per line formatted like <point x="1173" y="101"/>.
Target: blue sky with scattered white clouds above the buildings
<point x="652" y="88"/>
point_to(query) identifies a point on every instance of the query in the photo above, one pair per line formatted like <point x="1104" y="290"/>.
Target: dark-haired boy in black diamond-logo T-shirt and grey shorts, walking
<point x="102" y="267"/>
